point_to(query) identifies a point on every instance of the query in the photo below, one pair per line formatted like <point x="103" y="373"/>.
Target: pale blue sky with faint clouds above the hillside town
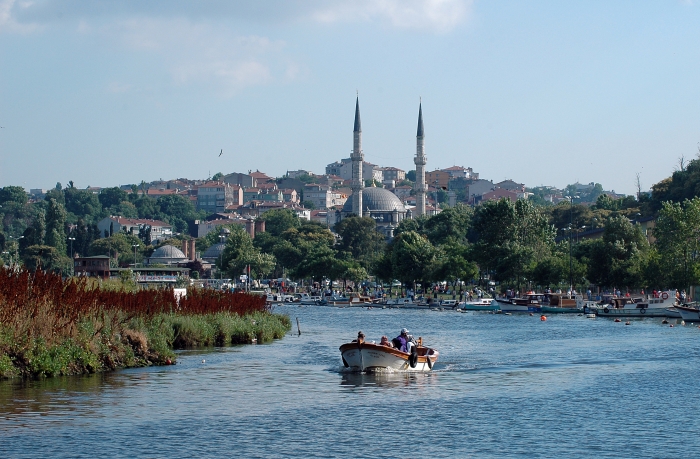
<point x="109" y="92"/>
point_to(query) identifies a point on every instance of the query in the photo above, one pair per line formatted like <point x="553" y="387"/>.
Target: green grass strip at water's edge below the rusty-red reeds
<point x="114" y="341"/>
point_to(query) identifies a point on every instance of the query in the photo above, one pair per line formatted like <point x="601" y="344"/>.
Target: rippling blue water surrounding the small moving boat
<point x="504" y="386"/>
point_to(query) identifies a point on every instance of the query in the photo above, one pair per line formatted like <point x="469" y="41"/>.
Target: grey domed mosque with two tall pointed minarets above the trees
<point x="379" y="203"/>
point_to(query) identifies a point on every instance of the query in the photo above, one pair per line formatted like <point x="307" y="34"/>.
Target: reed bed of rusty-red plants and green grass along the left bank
<point x="54" y="326"/>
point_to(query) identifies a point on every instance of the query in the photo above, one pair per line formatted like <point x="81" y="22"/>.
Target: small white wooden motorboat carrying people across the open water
<point x="366" y="356"/>
